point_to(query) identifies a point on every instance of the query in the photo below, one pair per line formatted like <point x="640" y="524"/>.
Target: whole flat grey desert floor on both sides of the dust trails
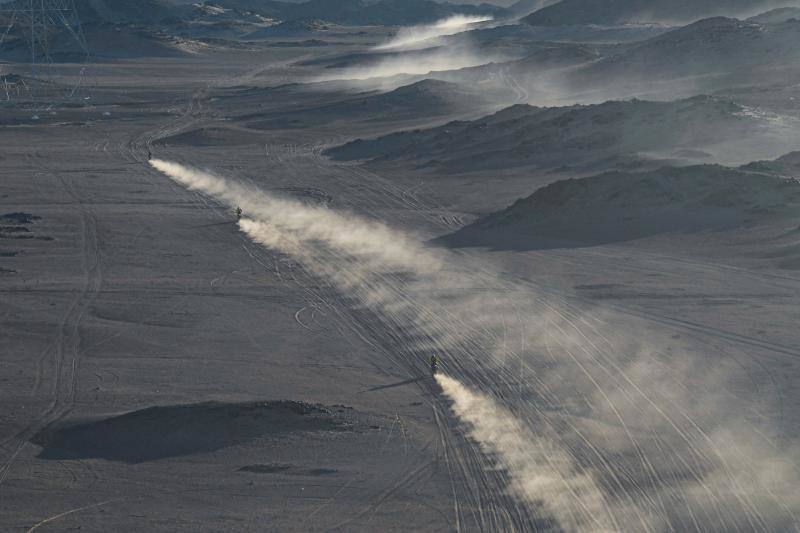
<point x="146" y="342"/>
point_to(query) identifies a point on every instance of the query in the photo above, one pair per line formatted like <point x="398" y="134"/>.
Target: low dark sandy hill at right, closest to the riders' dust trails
<point x="621" y="206"/>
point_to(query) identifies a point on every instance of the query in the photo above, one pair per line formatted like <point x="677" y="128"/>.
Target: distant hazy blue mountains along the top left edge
<point x="118" y="28"/>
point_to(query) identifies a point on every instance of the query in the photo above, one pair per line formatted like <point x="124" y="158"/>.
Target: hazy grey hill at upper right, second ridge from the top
<point x="705" y="56"/>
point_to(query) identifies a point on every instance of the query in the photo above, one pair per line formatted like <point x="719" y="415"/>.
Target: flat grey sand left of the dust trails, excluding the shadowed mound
<point x="145" y="295"/>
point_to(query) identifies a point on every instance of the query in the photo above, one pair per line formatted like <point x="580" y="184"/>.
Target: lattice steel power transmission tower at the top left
<point x="39" y="33"/>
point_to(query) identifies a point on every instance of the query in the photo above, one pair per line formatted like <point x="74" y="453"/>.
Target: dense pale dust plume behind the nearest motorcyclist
<point x="541" y="474"/>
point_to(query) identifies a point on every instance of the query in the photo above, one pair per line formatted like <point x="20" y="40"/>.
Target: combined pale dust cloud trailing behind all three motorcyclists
<point x="593" y="427"/>
